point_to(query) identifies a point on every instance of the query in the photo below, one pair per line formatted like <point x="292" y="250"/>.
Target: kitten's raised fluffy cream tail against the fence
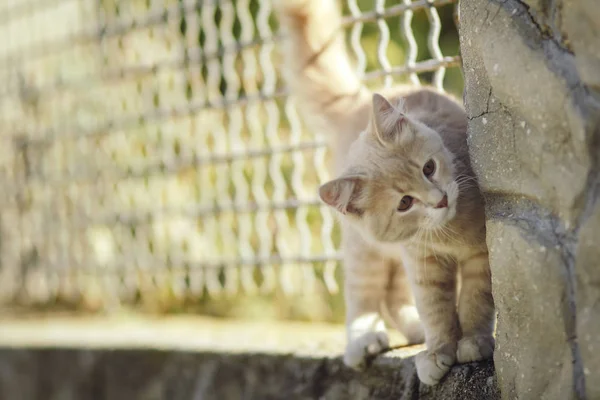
<point x="316" y="64"/>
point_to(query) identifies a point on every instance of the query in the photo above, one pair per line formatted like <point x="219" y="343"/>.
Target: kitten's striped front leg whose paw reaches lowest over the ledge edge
<point x="434" y="287"/>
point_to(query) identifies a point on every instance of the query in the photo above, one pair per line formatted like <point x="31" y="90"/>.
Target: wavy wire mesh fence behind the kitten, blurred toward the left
<point x="151" y="154"/>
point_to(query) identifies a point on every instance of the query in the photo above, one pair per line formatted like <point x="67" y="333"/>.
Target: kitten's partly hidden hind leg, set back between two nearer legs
<point x="400" y="305"/>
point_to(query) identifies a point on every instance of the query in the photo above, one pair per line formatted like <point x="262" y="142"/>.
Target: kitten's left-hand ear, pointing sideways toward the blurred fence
<point x="342" y="194"/>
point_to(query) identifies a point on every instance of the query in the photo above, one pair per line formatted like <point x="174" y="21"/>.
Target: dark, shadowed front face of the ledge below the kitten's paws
<point x="53" y="374"/>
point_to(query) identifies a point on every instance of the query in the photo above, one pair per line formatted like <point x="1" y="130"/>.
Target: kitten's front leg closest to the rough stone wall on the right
<point x="476" y="310"/>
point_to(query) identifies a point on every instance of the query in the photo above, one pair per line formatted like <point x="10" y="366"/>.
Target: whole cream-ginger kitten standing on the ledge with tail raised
<point x="411" y="213"/>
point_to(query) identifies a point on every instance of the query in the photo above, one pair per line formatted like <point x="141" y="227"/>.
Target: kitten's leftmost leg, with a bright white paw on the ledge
<point x="365" y="279"/>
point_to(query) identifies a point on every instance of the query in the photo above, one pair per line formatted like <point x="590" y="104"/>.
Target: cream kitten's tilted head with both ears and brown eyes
<point x="399" y="180"/>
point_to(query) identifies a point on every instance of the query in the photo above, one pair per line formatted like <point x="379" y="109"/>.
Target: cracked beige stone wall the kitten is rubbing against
<point x="532" y="92"/>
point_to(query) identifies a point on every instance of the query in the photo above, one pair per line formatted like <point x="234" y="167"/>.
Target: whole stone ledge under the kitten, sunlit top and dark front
<point x="199" y="358"/>
